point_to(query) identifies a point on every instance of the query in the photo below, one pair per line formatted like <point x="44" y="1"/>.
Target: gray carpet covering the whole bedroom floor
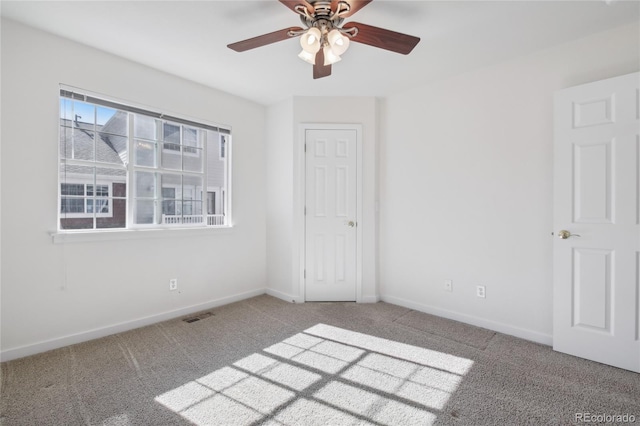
<point x="263" y="361"/>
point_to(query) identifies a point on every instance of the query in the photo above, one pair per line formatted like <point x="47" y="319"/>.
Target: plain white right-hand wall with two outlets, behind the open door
<point x="466" y="185"/>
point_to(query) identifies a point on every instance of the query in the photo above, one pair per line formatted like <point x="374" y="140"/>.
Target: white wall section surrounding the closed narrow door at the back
<point x="284" y="177"/>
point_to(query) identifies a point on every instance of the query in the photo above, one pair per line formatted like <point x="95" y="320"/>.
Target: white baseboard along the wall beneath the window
<point x="47" y="345"/>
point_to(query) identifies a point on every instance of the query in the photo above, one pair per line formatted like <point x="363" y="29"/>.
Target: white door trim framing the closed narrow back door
<point x="300" y="192"/>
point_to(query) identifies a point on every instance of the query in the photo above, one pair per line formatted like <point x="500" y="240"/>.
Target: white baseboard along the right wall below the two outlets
<point x="523" y="333"/>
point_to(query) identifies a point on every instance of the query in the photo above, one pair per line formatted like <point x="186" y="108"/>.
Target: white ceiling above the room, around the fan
<point x="189" y="38"/>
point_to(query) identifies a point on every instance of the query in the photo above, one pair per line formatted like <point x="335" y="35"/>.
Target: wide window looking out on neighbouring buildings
<point x="125" y="167"/>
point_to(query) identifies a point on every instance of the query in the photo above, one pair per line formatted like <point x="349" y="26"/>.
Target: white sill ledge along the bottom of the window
<point x="61" y="237"/>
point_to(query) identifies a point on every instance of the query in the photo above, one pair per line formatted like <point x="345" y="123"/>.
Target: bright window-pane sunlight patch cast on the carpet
<point x="325" y="375"/>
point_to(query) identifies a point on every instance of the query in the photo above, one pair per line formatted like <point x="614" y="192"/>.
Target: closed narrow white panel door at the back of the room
<point x="330" y="218"/>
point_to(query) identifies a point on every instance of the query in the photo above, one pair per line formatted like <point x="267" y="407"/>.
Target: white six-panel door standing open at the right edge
<point x="596" y="196"/>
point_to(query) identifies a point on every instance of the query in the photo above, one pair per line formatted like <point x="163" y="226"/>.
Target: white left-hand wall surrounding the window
<point x="54" y="294"/>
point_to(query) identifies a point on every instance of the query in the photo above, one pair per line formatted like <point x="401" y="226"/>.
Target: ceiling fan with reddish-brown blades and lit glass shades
<point x="324" y="38"/>
